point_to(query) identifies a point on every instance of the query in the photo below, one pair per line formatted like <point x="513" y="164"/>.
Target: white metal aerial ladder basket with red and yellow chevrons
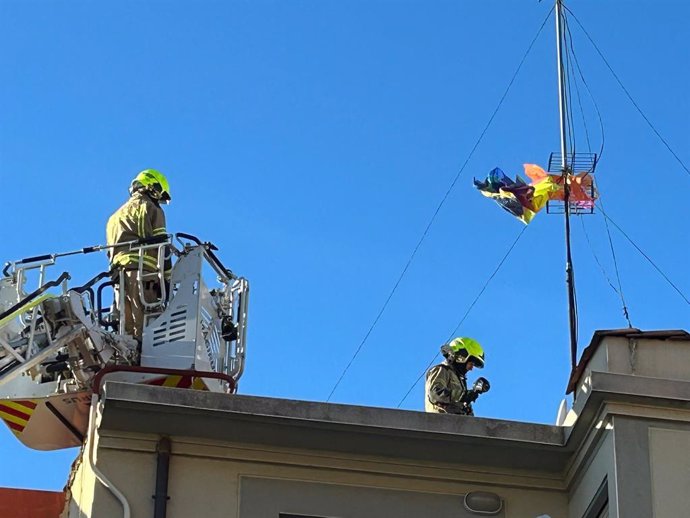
<point x="59" y="342"/>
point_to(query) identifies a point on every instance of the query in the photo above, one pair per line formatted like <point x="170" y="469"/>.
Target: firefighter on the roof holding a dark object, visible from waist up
<point x="446" y="386"/>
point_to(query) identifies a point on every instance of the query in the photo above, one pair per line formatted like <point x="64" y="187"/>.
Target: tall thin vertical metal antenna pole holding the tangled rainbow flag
<point x="565" y="170"/>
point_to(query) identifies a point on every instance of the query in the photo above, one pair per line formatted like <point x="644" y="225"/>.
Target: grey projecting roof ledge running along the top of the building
<point x="375" y="431"/>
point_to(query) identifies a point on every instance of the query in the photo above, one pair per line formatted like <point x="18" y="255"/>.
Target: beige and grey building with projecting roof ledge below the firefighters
<point x="622" y="451"/>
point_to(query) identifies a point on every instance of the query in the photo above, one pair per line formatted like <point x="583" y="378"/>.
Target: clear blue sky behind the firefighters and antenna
<point x="313" y="140"/>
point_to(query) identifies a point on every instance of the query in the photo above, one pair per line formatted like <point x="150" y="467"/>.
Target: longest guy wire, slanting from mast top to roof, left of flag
<point x="438" y="208"/>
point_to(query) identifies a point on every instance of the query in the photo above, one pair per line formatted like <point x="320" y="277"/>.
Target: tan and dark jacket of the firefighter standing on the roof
<point x="445" y="391"/>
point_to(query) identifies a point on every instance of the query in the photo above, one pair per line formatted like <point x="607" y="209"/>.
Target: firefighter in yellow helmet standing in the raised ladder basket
<point x="140" y="218"/>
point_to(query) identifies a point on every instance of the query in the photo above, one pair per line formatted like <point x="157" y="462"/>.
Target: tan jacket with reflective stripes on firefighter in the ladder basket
<point x="140" y="217"/>
